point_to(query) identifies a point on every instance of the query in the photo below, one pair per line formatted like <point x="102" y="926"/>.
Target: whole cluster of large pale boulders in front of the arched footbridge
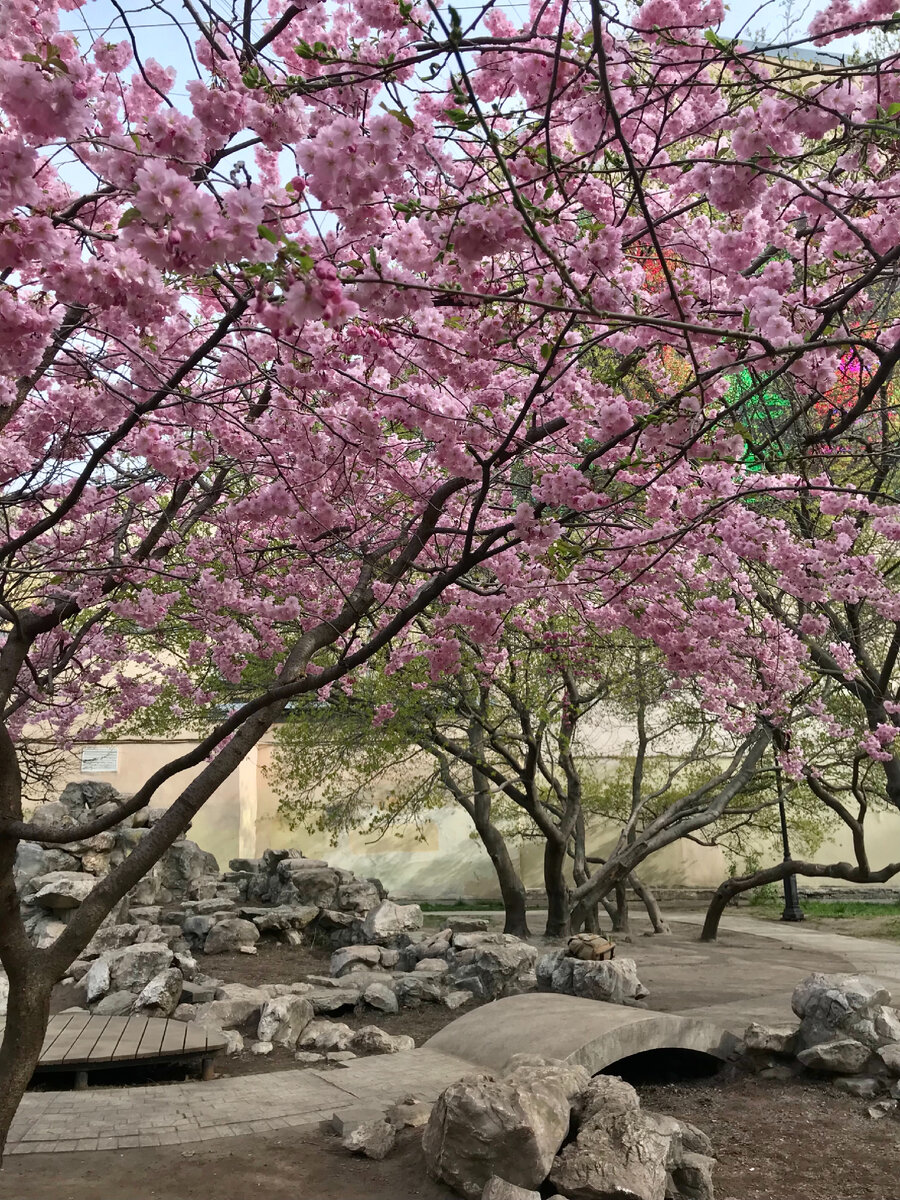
<point x="547" y="1125"/>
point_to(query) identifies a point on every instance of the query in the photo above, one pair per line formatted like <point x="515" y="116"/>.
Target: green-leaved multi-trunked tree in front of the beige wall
<point x="518" y="745"/>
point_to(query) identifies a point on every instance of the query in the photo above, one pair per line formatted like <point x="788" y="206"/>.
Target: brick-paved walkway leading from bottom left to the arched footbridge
<point x="123" y="1118"/>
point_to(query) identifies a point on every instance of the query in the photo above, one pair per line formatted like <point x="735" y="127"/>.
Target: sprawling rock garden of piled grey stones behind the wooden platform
<point x="181" y="944"/>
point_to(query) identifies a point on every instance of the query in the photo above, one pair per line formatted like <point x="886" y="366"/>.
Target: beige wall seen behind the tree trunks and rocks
<point x="439" y="860"/>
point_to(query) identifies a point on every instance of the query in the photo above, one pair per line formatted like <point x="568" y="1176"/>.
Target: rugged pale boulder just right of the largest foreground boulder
<point x="615" y="1157"/>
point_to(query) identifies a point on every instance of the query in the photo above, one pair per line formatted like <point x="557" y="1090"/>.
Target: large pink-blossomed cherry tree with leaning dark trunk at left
<point x="379" y="302"/>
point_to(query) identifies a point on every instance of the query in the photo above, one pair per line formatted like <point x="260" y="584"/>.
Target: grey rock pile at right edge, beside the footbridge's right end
<point x="849" y="1031"/>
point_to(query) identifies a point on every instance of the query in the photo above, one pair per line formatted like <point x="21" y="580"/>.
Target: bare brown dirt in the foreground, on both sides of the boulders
<point x="775" y="1142"/>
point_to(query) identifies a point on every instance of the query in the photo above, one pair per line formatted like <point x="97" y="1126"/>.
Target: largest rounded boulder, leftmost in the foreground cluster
<point x="482" y="1126"/>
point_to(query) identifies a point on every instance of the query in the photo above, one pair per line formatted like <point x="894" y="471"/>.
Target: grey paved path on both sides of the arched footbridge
<point x="748" y="976"/>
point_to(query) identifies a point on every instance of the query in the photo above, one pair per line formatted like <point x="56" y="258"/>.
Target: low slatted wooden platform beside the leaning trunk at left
<point x="81" y="1043"/>
